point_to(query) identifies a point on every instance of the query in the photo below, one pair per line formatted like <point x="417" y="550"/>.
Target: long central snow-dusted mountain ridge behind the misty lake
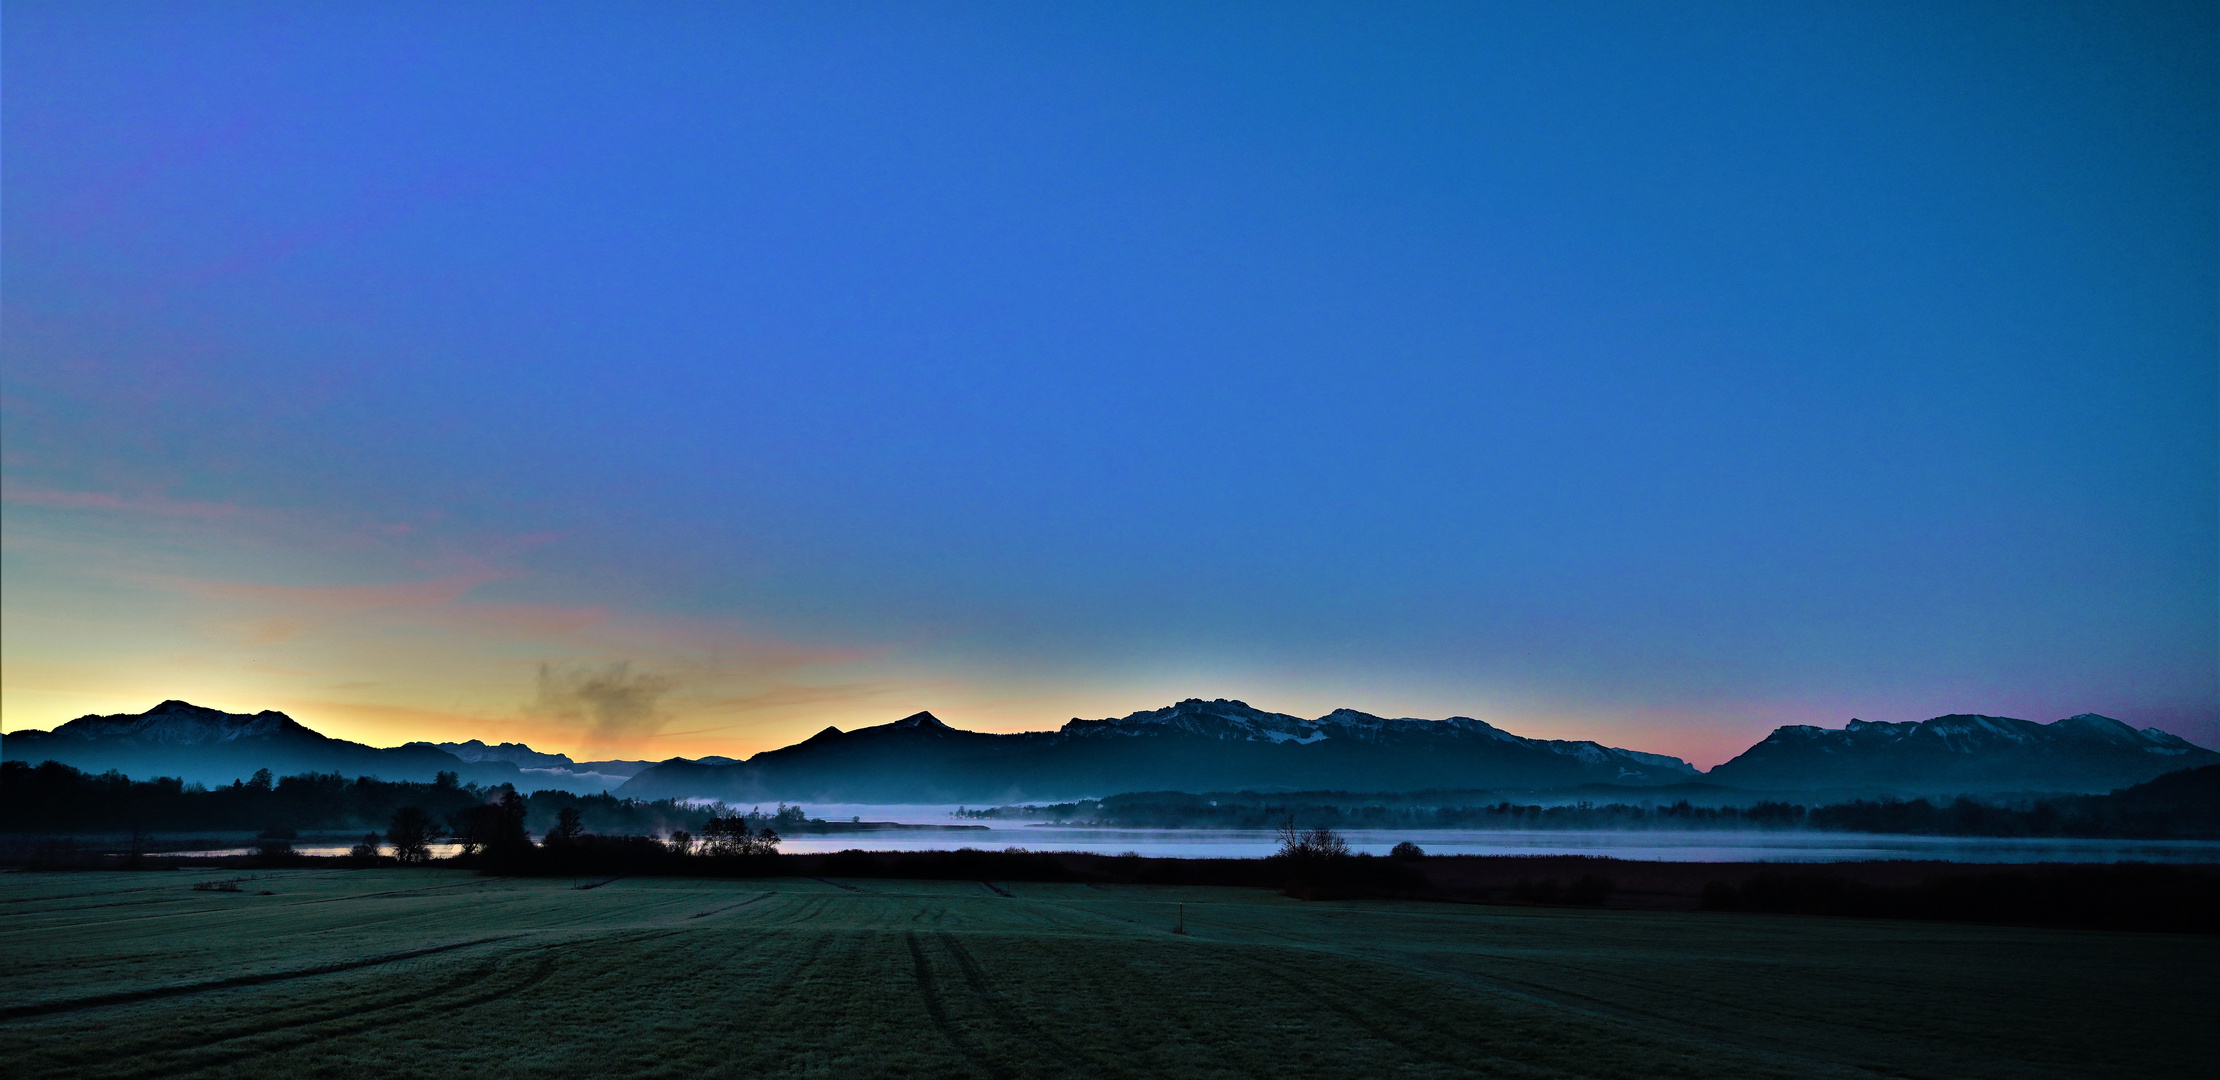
<point x="1193" y="746"/>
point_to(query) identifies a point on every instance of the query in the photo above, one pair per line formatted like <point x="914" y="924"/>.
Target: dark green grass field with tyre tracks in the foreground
<point x="445" y="974"/>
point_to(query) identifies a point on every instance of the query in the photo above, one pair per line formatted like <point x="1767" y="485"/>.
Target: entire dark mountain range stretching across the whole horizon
<point x="1195" y="746"/>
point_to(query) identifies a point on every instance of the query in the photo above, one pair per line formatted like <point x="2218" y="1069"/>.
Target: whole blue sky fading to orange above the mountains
<point x="685" y="379"/>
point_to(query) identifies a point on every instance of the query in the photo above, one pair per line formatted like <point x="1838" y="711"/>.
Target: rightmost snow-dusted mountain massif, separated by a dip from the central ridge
<point x="1961" y="754"/>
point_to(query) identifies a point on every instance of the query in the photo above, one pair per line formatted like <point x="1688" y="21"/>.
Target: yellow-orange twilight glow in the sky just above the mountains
<point x="447" y="657"/>
